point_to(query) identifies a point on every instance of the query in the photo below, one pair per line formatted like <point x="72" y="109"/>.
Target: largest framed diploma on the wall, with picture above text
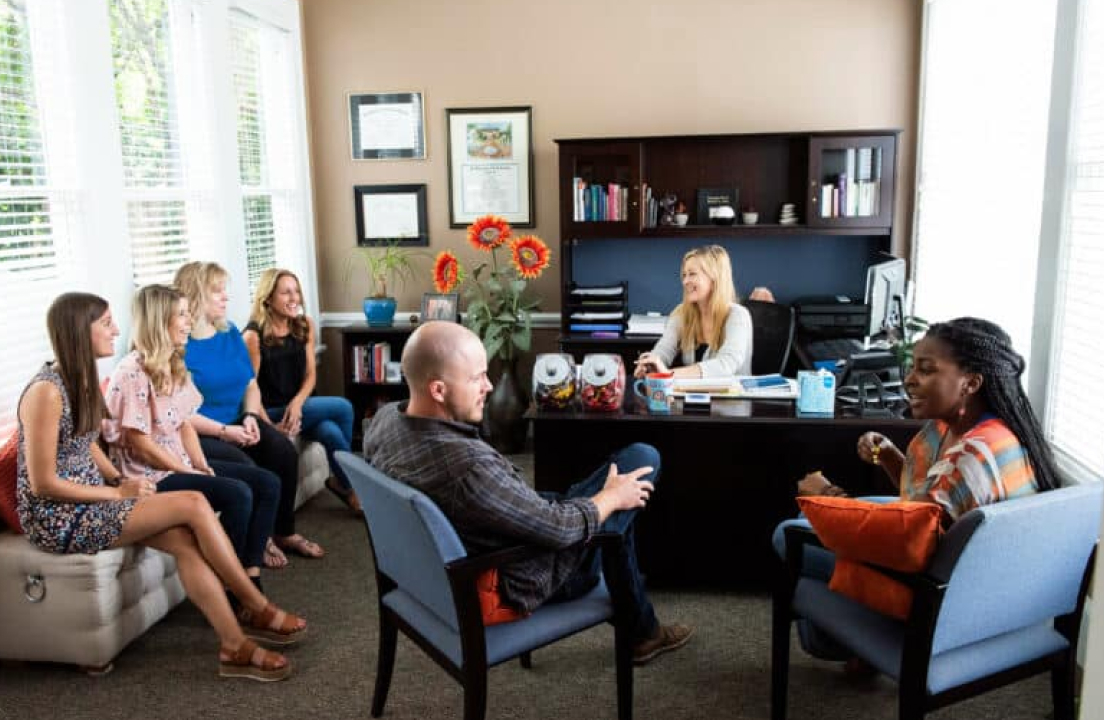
<point x="491" y="165"/>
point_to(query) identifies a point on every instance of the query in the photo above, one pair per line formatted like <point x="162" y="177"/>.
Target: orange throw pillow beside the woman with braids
<point x="900" y="536"/>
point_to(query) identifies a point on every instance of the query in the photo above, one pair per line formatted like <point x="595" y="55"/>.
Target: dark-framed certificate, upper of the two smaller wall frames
<point x="387" y="126"/>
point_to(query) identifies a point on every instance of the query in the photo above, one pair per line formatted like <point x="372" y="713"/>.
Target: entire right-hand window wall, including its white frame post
<point x="1011" y="196"/>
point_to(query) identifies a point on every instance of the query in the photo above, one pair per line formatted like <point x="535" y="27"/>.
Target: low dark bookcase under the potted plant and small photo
<point x="367" y="395"/>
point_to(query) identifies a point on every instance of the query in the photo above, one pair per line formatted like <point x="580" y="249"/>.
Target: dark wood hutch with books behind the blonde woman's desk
<point x="767" y="170"/>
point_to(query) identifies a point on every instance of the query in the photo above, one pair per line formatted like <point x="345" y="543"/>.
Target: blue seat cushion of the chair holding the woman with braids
<point x="880" y="640"/>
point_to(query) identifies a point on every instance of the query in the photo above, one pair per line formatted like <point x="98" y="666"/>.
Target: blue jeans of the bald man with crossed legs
<point x="628" y="571"/>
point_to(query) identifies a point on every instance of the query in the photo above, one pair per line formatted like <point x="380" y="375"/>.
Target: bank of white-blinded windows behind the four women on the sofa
<point x="116" y="118"/>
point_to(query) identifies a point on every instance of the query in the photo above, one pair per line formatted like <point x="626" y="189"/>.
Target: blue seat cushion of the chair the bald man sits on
<point x="551" y="622"/>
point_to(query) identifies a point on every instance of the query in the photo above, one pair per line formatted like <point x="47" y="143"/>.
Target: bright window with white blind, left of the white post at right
<point x="981" y="160"/>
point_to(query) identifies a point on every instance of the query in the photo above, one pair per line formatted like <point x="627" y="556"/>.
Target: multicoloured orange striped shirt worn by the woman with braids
<point x="986" y="465"/>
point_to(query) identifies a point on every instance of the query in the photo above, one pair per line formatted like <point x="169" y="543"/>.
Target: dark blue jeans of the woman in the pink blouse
<point x="246" y="499"/>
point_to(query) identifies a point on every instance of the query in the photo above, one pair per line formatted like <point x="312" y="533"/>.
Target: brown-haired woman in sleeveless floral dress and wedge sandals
<point x="72" y="500"/>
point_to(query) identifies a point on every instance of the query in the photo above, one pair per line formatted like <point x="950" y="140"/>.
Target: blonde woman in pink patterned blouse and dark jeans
<point x="151" y="398"/>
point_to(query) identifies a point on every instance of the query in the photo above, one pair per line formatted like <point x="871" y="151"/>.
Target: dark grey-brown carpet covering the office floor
<point x="724" y="673"/>
